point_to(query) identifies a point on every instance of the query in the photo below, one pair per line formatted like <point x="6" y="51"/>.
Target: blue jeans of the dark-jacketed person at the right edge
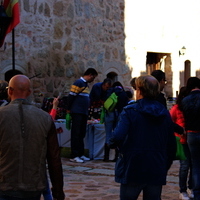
<point x="193" y="140"/>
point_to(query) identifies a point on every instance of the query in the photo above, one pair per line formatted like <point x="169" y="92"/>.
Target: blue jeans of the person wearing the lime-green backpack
<point x="110" y="123"/>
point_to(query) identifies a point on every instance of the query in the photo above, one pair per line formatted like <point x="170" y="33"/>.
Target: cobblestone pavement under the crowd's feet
<point x="94" y="180"/>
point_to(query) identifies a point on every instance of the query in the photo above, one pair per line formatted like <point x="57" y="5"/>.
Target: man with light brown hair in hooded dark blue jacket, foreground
<point x="147" y="146"/>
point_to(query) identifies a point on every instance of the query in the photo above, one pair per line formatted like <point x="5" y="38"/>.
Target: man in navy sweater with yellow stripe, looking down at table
<point x="78" y="104"/>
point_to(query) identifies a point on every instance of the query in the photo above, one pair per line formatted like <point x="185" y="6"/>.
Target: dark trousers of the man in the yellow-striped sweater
<point x="78" y="132"/>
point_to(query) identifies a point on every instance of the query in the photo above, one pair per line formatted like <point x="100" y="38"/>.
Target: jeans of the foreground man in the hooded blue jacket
<point x="132" y="191"/>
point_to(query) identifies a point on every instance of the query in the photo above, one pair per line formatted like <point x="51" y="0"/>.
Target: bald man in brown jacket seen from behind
<point x="28" y="139"/>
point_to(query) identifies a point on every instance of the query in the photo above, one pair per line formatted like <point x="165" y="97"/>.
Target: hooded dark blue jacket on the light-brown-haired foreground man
<point x="147" y="146"/>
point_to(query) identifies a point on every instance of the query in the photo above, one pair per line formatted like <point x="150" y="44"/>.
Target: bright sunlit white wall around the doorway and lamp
<point x="162" y="26"/>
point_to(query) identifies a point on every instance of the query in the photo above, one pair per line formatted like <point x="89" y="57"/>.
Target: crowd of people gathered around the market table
<point x="140" y="128"/>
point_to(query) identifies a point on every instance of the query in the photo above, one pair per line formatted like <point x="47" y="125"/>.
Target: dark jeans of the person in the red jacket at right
<point x="185" y="169"/>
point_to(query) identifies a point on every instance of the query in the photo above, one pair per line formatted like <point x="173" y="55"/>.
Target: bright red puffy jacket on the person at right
<point x="178" y="118"/>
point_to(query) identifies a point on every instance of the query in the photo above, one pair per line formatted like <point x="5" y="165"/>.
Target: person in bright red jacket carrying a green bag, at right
<point x="185" y="165"/>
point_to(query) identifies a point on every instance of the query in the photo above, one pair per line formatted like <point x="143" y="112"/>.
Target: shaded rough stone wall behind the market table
<point x="58" y="40"/>
